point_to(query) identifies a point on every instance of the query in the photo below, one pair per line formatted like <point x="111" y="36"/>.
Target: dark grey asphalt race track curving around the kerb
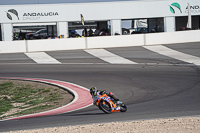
<point x="157" y="87"/>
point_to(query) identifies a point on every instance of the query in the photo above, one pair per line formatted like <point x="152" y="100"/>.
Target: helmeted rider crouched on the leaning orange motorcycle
<point x="97" y="93"/>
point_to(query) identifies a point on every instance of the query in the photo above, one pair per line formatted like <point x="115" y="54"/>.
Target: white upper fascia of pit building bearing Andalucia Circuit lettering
<point x="95" y="11"/>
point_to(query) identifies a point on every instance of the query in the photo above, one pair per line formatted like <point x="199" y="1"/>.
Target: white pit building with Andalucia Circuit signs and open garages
<point x="114" y="16"/>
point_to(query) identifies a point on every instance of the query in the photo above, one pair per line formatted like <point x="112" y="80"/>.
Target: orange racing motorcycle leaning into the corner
<point x="108" y="105"/>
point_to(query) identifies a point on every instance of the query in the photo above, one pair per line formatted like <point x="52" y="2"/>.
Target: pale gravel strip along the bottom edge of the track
<point x="170" y="125"/>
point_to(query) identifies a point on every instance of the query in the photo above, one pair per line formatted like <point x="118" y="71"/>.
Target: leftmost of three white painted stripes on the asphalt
<point x="42" y="58"/>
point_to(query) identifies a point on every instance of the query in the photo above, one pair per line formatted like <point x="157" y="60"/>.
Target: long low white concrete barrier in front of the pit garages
<point x="99" y="42"/>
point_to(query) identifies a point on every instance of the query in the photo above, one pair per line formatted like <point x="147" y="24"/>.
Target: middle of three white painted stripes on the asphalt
<point x="109" y="57"/>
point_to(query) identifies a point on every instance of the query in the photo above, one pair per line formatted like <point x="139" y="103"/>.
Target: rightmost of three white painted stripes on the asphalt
<point x="174" y="54"/>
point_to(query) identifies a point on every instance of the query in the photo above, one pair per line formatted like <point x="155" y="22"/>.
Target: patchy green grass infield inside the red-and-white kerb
<point x="27" y="95"/>
